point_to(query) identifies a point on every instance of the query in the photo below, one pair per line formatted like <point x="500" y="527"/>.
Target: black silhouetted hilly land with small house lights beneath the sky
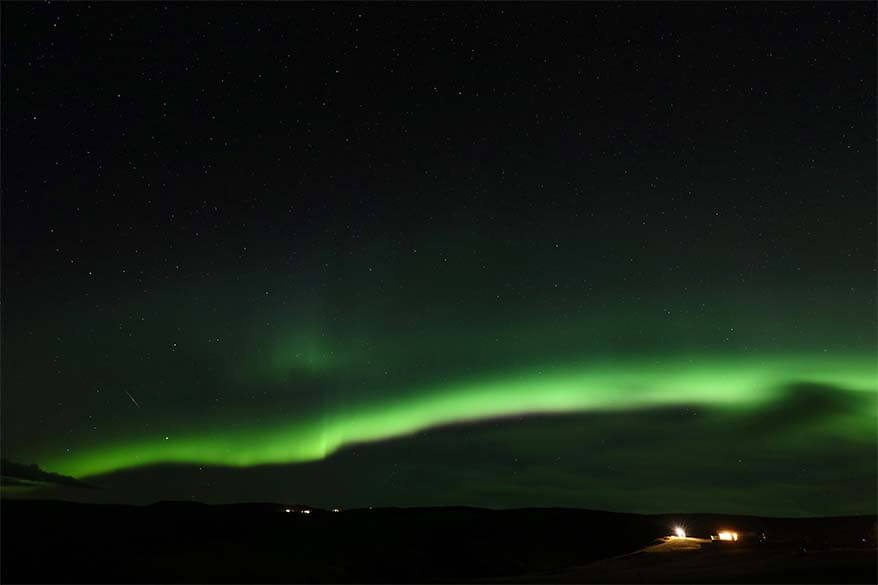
<point x="183" y="542"/>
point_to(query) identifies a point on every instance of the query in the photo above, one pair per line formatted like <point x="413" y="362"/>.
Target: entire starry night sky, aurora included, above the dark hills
<point x="619" y="257"/>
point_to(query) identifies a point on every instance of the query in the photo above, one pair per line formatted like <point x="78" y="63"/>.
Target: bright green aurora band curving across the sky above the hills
<point x="731" y="384"/>
